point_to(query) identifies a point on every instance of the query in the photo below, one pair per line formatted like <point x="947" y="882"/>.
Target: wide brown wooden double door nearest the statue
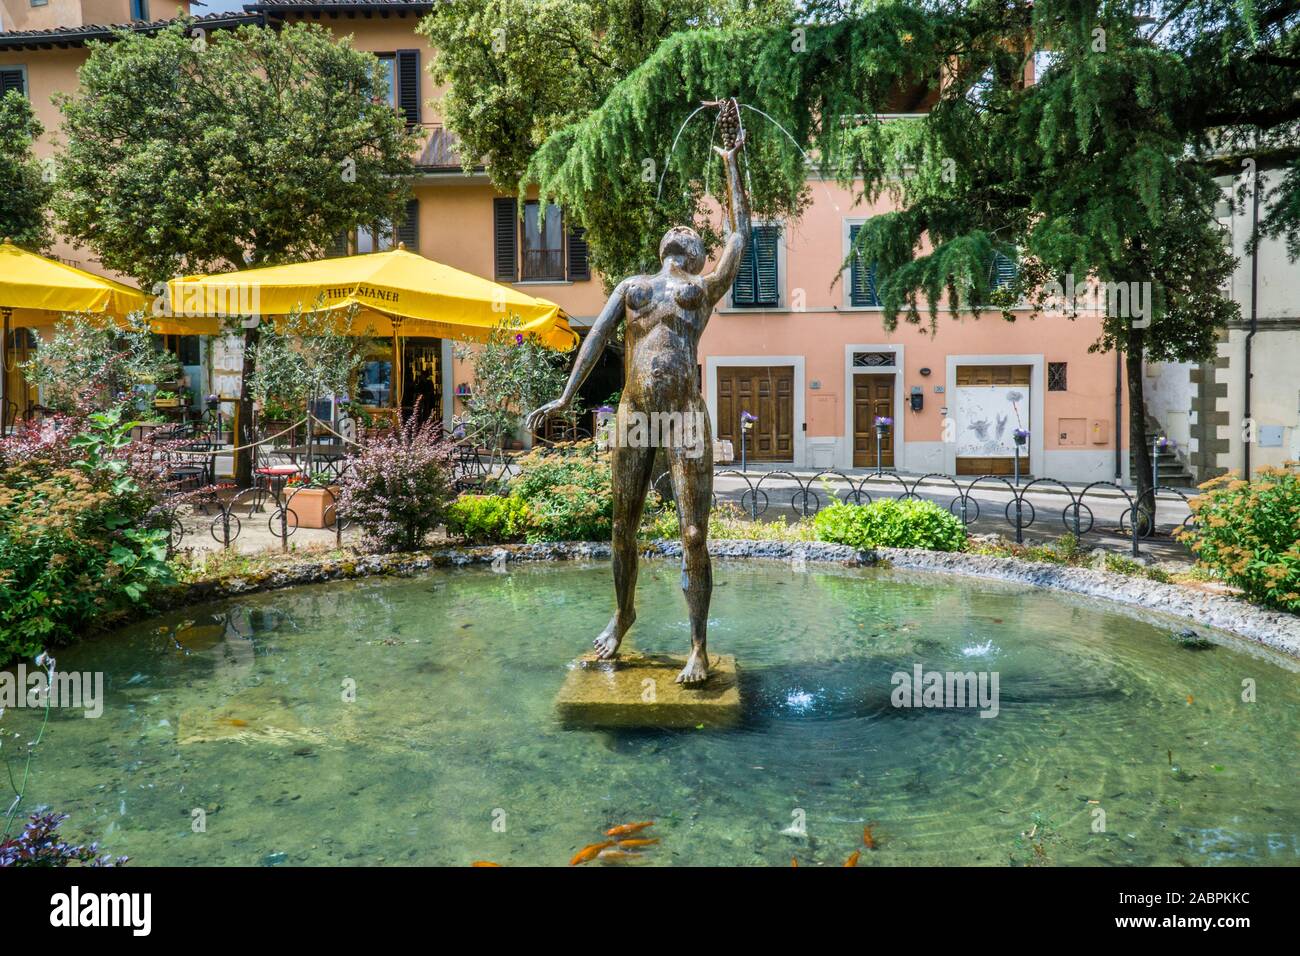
<point x="766" y="392"/>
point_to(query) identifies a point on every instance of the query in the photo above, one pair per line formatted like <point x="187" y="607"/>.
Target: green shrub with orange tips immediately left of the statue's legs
<point x="569" y="491"/>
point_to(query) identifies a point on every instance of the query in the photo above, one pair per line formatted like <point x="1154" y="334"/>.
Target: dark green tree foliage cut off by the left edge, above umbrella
<point x="25" y="191"/>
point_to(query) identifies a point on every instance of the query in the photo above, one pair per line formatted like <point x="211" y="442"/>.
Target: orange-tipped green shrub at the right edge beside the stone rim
<point x="1249" y="534"/>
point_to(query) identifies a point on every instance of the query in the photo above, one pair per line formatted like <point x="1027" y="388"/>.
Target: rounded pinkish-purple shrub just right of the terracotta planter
<point x="397" y="487"/>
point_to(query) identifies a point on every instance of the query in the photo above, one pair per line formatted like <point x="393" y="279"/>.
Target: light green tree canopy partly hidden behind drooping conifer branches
<point x="519" y="71"/>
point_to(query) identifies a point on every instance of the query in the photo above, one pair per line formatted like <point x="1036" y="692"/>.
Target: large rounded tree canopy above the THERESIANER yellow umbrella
<point x="198" y="154"/>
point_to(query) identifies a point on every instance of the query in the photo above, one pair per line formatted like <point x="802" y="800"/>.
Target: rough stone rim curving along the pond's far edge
<point x="1275" y="630"/>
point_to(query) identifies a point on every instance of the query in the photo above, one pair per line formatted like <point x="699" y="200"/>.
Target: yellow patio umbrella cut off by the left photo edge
<point x="36" y="291"/>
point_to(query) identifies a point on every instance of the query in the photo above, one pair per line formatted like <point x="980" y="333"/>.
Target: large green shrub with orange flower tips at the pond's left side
<point x="81" y="539"/>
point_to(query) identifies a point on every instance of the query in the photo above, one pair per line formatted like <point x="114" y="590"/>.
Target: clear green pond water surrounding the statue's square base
<point x="450" y="751"/>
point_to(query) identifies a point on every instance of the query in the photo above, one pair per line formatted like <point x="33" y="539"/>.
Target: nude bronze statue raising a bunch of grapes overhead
<point x="666" y="315"/>
